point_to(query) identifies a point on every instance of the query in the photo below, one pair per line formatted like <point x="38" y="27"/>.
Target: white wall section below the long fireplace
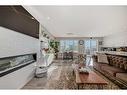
<point x="19" y="78"/>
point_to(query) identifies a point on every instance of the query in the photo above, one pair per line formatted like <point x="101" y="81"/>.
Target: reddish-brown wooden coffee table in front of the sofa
<point x="92" y="78"/>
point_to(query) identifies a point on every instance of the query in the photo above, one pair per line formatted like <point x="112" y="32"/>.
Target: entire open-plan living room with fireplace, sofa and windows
<point x="63" y="47"/>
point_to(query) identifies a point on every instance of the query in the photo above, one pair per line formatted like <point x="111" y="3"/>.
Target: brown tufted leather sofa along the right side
<point x="115" y="70"/>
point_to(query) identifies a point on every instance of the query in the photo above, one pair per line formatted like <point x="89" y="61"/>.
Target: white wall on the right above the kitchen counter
<point x="116" y="40"/>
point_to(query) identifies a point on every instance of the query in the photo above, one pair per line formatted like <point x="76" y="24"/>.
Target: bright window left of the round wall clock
<point x="69" y="45"/>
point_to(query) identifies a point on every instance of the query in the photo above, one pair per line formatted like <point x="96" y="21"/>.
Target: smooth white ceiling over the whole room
<point x="81" y="21"/>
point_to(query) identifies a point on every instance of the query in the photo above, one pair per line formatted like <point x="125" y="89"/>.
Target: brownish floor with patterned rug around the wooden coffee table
<point x="60" y="76"/>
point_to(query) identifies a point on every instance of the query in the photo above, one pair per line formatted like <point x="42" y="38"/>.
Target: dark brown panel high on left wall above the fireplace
<point x="18" y="19"/>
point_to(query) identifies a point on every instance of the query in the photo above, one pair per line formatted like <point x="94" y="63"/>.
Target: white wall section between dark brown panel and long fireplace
<point x="13" y="43"/>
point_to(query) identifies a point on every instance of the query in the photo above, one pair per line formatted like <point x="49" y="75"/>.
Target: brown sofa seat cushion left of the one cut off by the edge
<point x="111" y="70"/>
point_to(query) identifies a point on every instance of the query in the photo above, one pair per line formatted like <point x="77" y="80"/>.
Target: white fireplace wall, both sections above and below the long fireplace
<point x="13" y="43"/>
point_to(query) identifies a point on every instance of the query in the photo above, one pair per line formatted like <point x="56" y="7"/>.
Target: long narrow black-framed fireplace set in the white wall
<point x="11" y="64"/>
